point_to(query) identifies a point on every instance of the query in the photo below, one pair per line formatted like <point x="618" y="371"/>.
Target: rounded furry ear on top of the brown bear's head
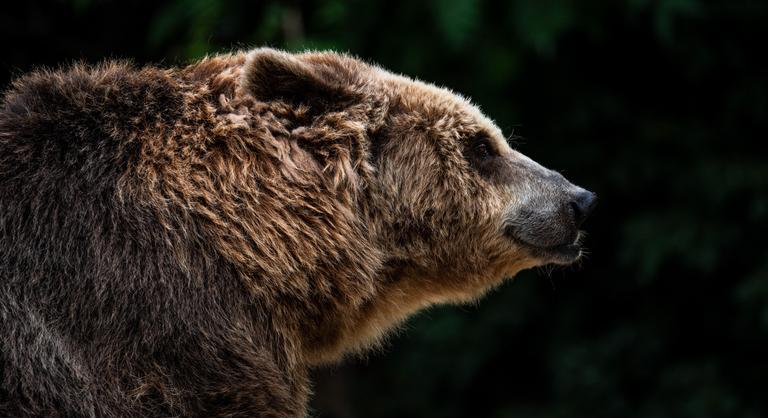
<point x="269" y="74"/>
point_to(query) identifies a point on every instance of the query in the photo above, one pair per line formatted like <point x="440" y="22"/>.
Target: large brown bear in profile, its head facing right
<point x="188" y="242"/>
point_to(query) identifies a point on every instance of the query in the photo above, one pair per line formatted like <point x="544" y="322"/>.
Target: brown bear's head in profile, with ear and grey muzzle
<point x="448" y="205"/>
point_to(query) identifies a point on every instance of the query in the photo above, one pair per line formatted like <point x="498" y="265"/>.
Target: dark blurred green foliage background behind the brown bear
<point x="658" y="106"/>
